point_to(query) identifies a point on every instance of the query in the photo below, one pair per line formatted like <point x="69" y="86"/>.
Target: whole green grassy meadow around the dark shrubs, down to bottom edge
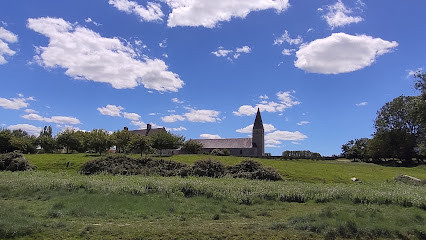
<point x="318" y="200"/>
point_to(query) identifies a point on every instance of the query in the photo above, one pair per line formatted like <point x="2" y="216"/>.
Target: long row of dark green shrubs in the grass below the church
<point x="202" y="168"/>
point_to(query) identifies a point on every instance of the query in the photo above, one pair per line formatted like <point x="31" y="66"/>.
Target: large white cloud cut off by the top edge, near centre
<point x="209" y="13"/>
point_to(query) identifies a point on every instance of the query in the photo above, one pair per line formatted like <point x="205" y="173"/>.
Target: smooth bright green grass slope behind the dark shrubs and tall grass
<point x="340" y="171"/>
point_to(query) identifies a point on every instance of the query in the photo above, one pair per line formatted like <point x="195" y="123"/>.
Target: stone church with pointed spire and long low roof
<point x="246" y="147"/>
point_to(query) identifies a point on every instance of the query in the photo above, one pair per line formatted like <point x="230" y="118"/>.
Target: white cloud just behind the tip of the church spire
<point x="285" y="100"/>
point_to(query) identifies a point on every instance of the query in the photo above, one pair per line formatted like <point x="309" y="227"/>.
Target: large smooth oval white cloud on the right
<point x="341" y="53"/>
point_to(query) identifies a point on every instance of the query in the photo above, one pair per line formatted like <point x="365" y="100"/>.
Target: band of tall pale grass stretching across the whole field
<point x="236" y="190"/>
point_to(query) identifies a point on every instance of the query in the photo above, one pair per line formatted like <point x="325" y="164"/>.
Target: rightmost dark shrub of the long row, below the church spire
<point x="253" y="170"/>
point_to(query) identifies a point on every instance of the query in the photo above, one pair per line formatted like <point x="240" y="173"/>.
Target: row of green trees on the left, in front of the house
<point x="96" y="141"/>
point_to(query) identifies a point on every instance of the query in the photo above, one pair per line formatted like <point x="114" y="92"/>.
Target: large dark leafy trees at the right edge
<point x="400" y="131"/>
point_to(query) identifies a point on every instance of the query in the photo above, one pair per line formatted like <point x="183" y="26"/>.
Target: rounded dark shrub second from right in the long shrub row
<point x="208" y="168"/>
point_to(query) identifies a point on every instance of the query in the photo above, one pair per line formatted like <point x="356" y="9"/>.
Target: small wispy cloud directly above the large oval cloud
<point x="337" y="15"/>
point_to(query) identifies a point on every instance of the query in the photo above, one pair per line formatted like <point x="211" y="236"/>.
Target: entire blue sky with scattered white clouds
<point x="317" y="70"/>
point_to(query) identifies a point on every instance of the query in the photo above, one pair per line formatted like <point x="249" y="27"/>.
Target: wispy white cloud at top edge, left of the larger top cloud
<point x="152" y="12"/>
